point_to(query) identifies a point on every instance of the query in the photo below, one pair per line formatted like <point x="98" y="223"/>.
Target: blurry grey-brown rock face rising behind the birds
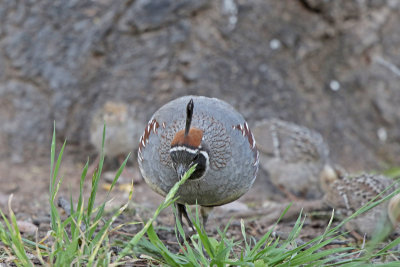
<point x="333" y="66"/>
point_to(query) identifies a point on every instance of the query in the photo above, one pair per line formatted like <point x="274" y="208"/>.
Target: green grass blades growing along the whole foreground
<point x="83" y="238"/>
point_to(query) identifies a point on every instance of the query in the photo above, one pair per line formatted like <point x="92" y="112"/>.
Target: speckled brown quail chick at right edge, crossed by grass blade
<point x="348" y="194"/>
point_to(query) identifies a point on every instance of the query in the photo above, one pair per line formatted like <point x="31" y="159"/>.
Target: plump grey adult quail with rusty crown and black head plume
<point x="204" y="131"/>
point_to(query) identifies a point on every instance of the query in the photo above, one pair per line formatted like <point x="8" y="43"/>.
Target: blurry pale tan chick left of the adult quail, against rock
<point x="123" y="129"/>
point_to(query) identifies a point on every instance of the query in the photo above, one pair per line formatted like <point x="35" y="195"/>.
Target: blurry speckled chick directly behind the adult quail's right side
<point x="294" y="156"/>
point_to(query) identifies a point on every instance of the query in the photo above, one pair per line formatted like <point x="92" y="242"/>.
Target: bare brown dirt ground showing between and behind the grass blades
<point x="29" y="184"/>
